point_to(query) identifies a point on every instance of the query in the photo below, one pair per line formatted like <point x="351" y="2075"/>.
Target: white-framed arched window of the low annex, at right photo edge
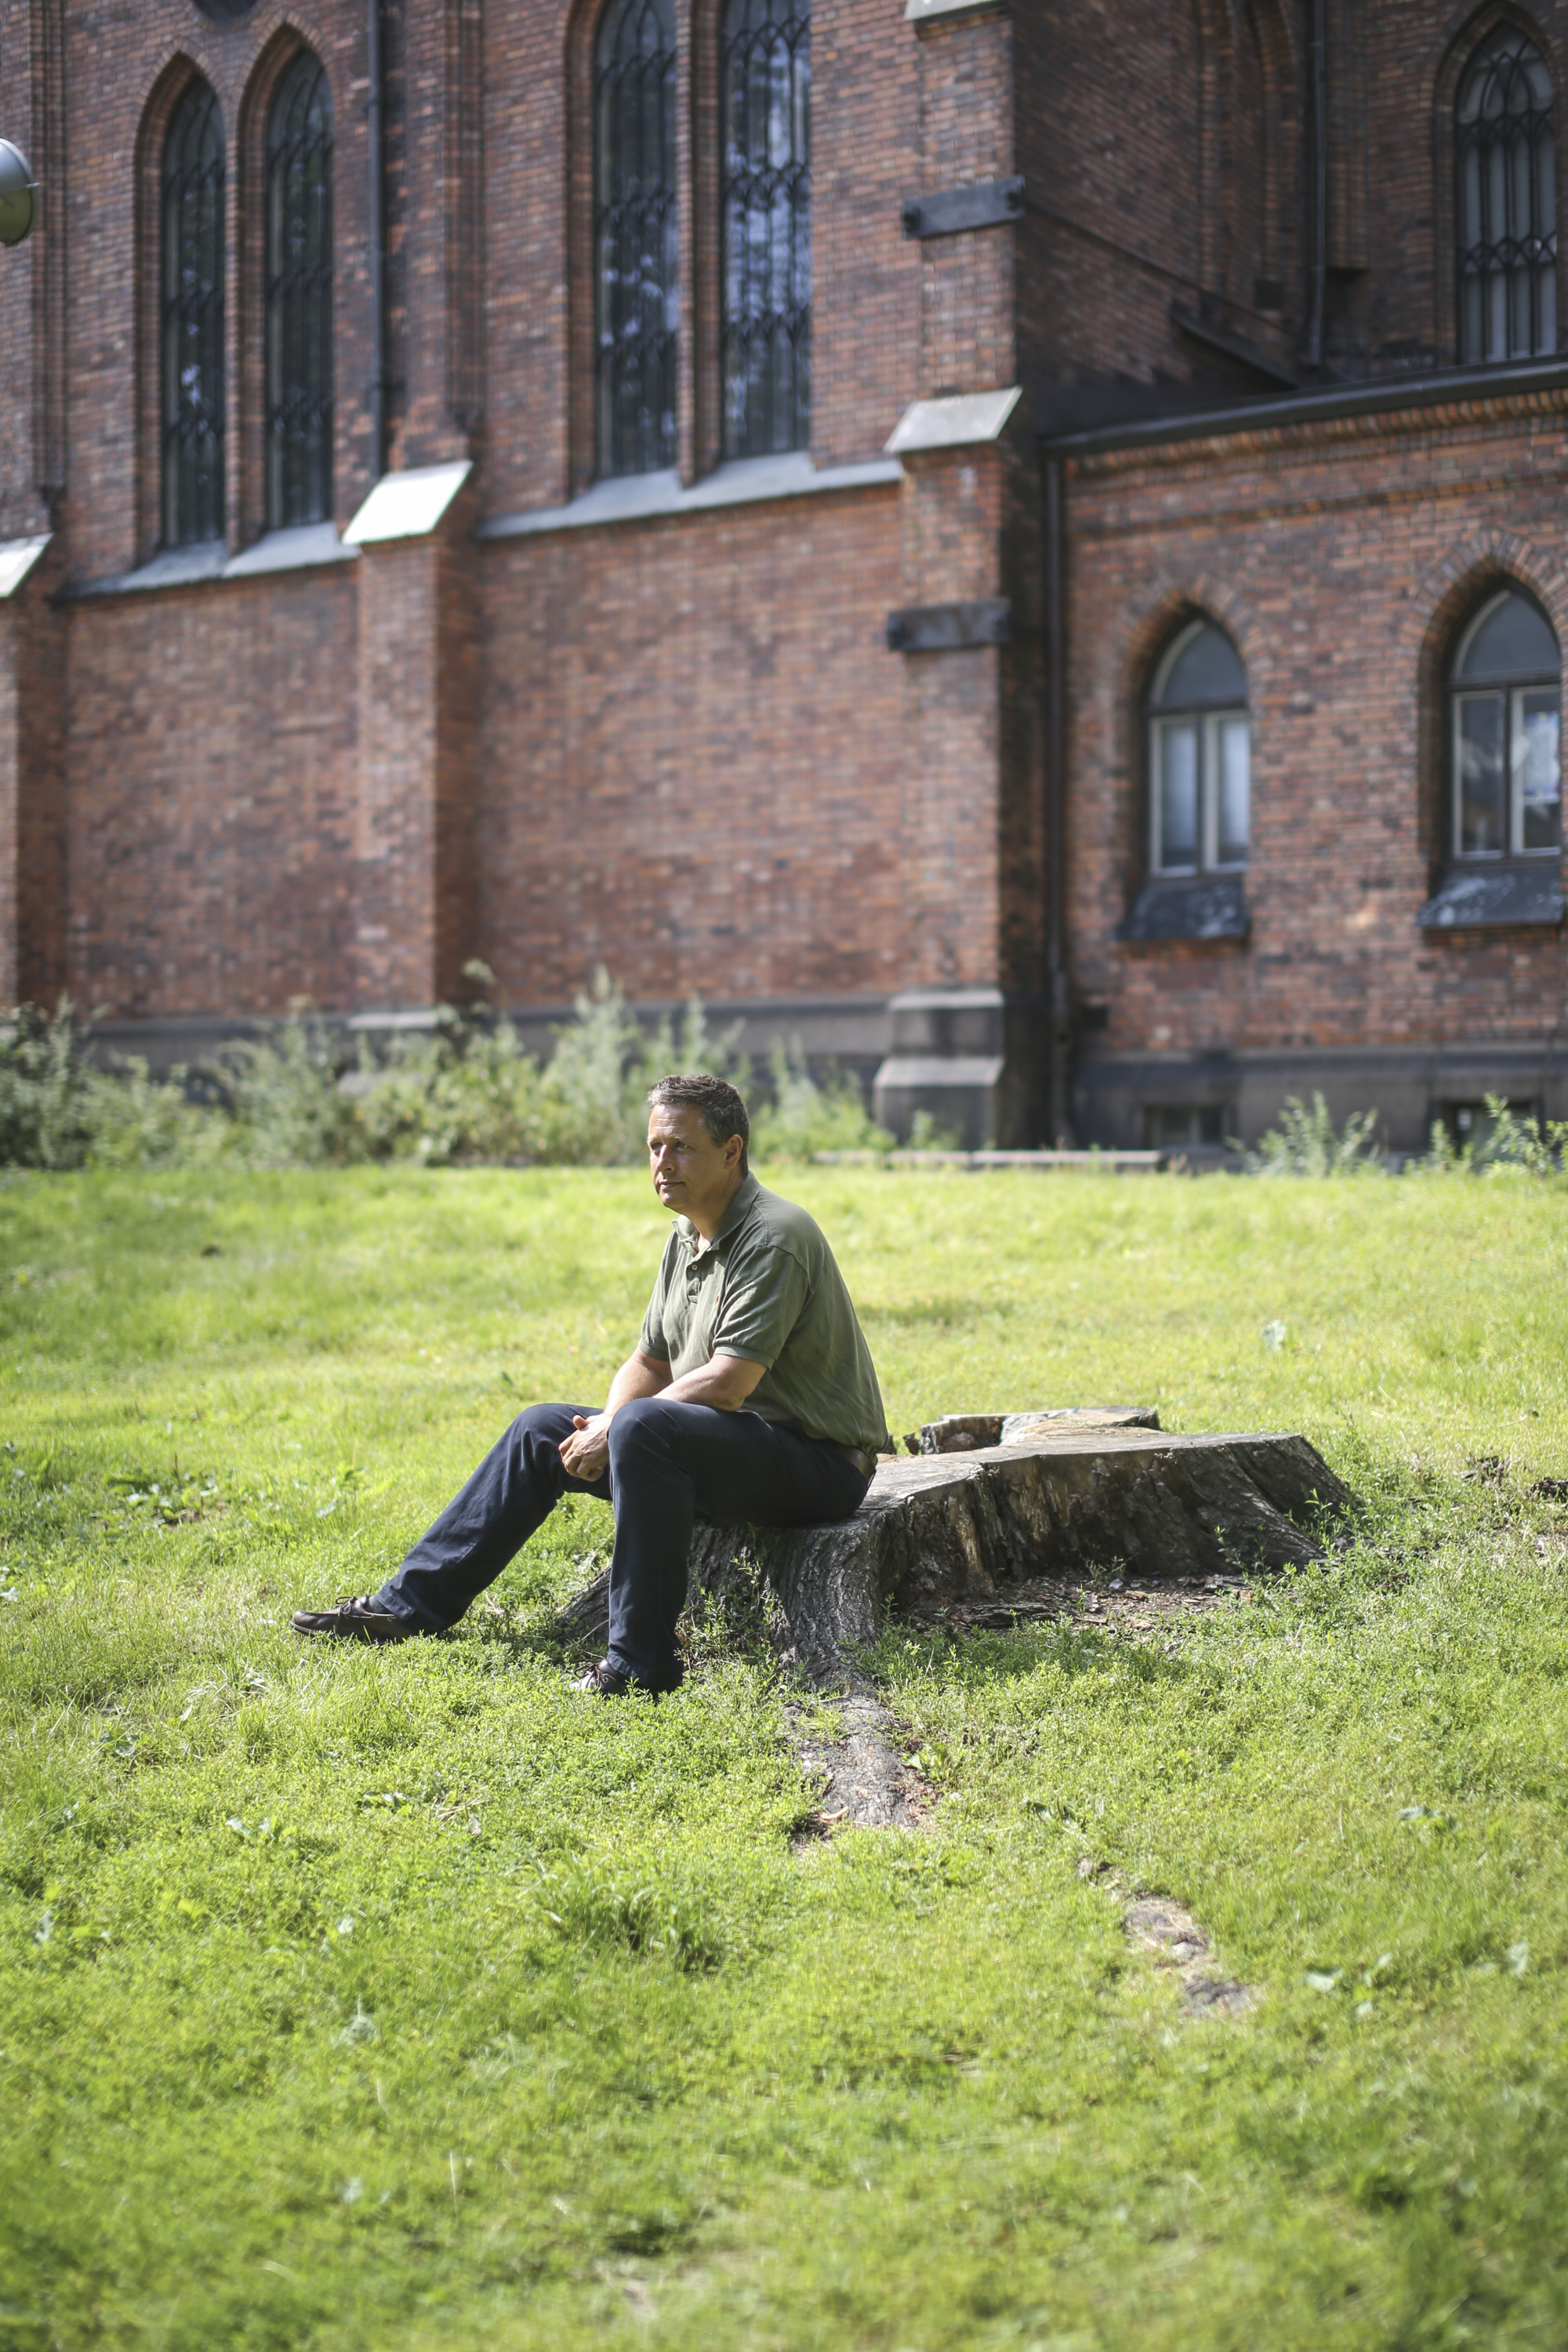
<point x="1508" y="791"/>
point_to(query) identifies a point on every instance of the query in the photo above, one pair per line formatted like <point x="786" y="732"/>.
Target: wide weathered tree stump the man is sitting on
<point x="1099" y="1492"/>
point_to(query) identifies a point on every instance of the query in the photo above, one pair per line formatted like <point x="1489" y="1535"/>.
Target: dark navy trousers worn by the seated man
<point x="669" y="1466"/>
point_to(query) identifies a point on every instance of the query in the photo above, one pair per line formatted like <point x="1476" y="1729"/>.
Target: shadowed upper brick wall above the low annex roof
<point x="1167" y="159"/>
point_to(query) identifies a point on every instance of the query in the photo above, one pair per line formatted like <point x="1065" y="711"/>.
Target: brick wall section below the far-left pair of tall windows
<point x="213" y="773"/>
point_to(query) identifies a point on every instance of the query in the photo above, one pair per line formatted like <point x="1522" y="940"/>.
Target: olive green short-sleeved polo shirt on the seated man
<point x="768" y="1290"/>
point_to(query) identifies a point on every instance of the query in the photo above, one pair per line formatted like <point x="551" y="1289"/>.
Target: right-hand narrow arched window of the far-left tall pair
<point x="300" y="298"/>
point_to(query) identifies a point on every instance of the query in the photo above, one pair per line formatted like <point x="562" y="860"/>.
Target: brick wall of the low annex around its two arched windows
<point x="1339" y="559"/>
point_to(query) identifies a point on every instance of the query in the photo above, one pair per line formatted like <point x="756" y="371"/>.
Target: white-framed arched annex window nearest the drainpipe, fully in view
<point x="1200" y="756"/>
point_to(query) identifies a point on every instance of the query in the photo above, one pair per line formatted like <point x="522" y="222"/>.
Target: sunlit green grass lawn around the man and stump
<point x="415" y="2000"/>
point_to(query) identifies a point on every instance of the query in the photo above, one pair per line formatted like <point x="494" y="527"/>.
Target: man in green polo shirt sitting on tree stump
<point x="751" y="1398"/>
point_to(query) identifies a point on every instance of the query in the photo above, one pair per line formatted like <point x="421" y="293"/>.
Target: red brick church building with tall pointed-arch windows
<point x="1017" y="542"/>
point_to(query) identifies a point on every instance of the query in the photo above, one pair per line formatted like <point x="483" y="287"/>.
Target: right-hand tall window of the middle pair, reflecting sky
<point x="768" y="227"/>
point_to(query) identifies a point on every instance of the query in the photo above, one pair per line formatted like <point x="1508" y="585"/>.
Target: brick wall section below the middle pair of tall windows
<point x="692" y="756"/>
